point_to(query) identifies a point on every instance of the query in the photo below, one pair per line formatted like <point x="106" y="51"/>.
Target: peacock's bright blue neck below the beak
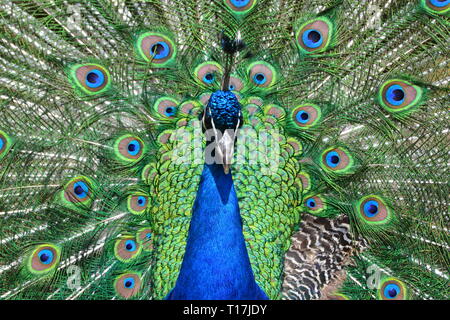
<point x="216" y="265"/>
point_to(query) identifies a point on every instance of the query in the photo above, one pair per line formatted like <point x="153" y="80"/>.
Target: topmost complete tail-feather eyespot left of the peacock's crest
<point x="156" y="48"/>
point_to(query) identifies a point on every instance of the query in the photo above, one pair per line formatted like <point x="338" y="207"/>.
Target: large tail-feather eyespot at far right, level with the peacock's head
<point x="399" y="95"/>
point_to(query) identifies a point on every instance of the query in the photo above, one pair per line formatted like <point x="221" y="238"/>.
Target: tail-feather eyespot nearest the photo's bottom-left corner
<point x="44" y="258"/>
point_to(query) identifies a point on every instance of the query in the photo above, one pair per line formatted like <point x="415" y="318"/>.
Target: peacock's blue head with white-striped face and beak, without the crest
<point x="222" y="119"/>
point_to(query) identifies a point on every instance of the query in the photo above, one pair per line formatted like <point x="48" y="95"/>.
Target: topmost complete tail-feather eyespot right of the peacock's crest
<point x="315" y="35"/>
